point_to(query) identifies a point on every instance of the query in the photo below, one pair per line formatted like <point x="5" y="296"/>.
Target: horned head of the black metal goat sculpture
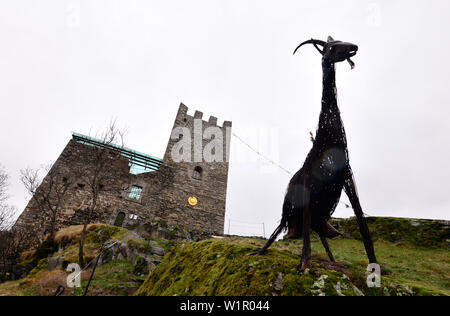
<point x="333" y="51"/>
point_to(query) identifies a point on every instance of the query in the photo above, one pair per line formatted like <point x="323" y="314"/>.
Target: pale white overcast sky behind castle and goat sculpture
<point x="73" y="65"/>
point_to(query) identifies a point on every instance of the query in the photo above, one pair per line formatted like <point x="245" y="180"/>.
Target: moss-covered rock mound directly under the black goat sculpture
<point x="223" y="267"/>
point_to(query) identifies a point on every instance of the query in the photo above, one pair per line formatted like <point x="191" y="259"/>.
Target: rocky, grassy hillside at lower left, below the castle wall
<point x="121" y="269"/>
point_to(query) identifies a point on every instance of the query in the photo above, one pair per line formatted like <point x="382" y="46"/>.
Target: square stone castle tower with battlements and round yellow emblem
<point x="210" y="190"/>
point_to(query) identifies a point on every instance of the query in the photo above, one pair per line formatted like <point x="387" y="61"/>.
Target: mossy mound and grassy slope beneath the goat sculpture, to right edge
<point x="223" y="267"/>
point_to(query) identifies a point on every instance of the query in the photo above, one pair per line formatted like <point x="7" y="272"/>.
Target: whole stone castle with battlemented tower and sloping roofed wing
<point x="191" y="193"/>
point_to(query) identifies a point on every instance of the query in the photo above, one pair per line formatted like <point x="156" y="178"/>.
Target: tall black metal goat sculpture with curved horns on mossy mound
<point x="315" y="189"/>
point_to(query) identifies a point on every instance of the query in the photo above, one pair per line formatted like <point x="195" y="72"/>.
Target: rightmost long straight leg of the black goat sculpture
<point x="350" y="190"/>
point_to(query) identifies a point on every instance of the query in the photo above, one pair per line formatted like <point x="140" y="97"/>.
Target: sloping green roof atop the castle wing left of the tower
<point x="139" y="162"/>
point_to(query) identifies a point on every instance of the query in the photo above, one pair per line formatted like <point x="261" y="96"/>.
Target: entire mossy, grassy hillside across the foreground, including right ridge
<point x="158" y="259"/>
